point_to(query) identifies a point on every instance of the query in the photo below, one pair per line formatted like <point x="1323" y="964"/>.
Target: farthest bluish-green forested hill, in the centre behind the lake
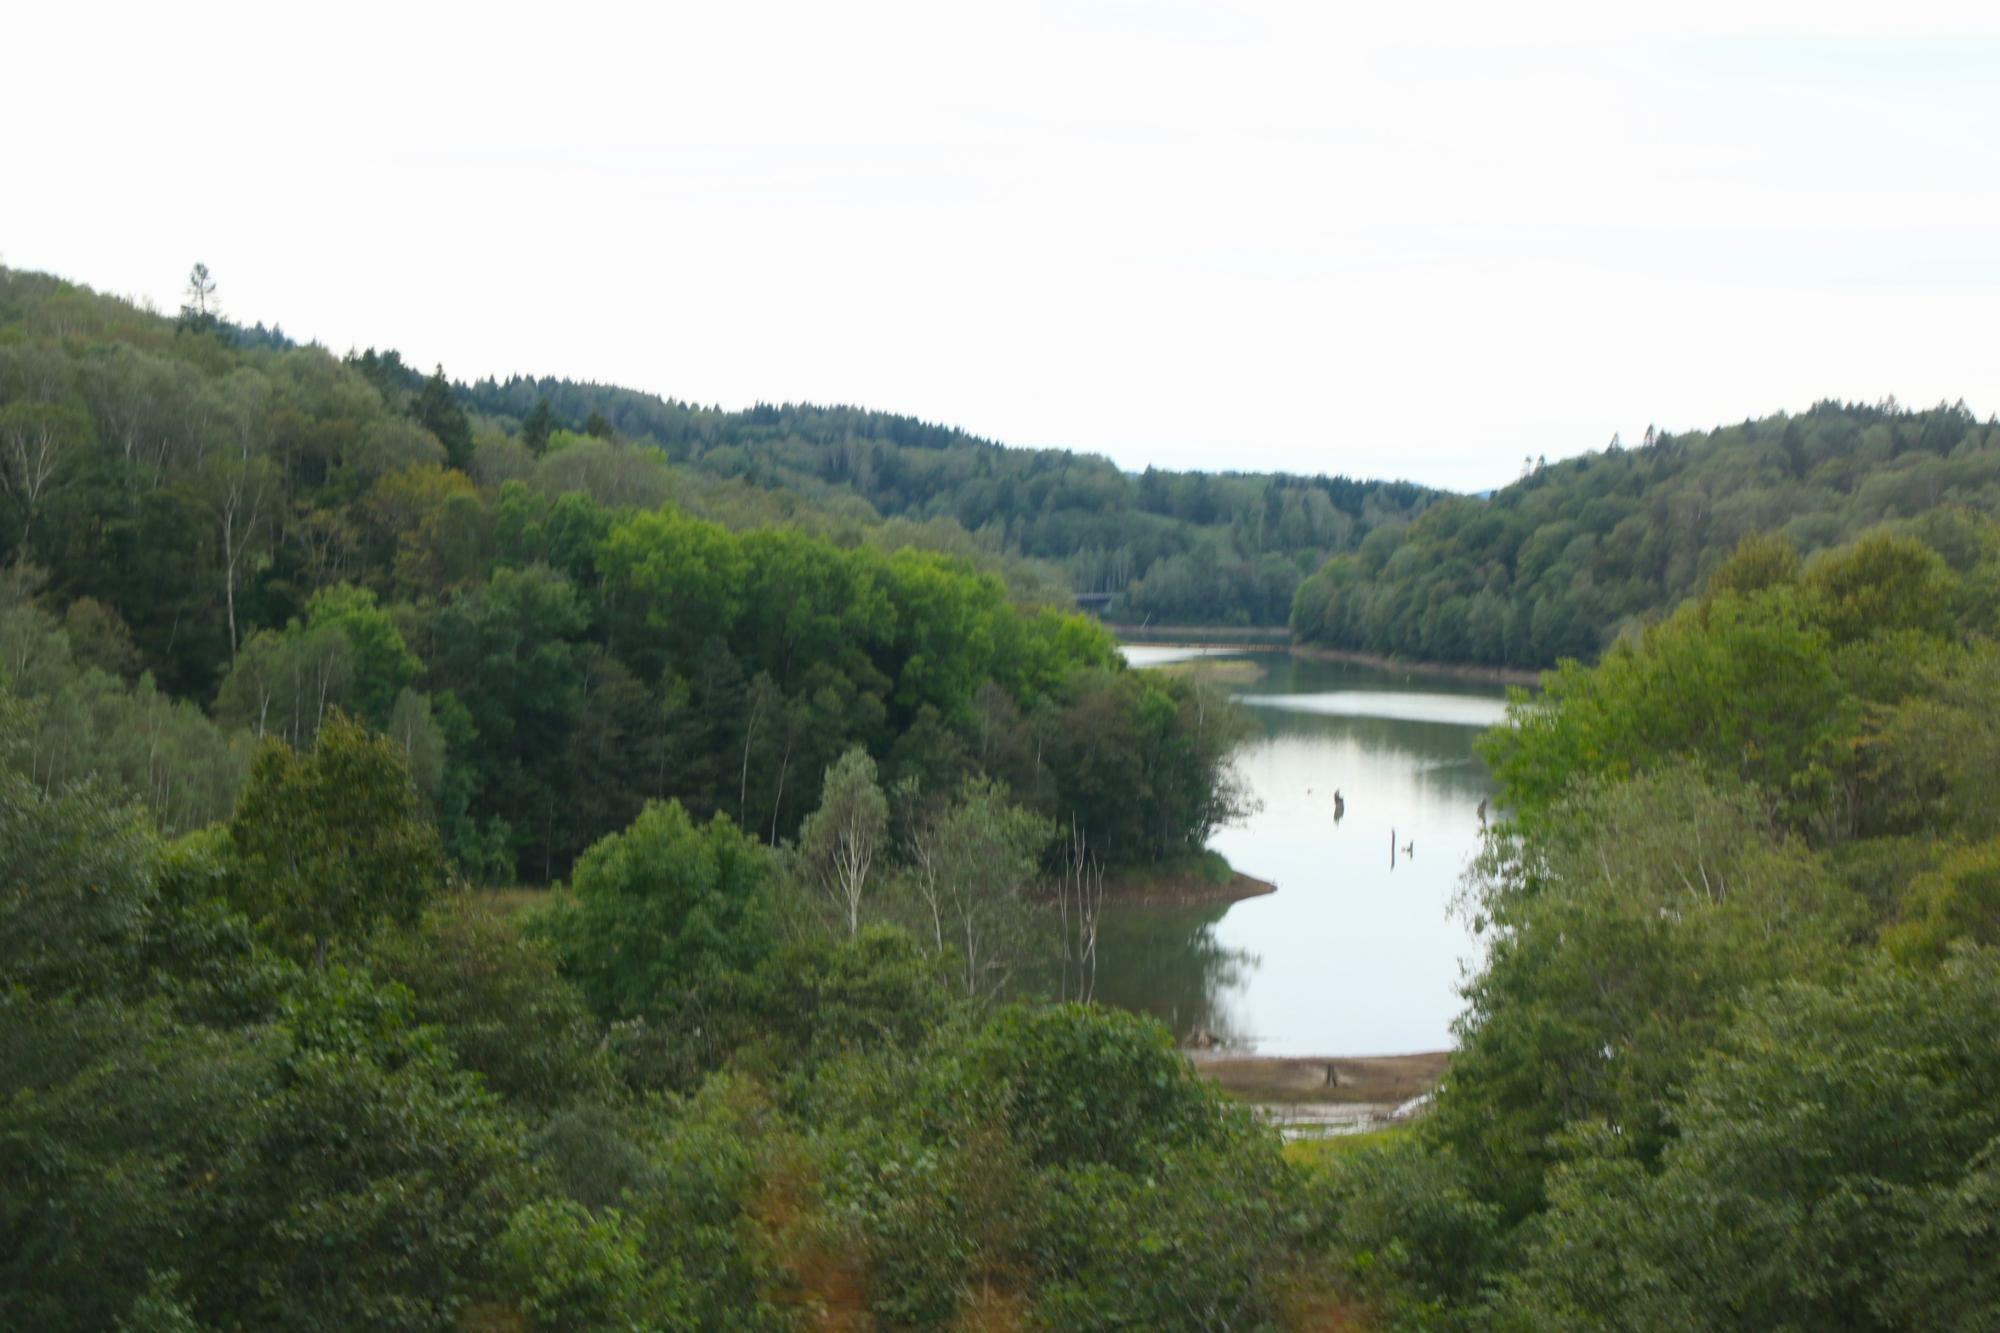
<point x="1171" y="547"/>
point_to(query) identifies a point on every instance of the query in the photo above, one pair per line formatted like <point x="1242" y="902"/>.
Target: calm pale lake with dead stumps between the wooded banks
<point x="1357" y="954"/>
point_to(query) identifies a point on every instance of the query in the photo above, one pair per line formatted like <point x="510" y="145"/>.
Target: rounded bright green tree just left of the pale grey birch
<point x="663" y="912"/>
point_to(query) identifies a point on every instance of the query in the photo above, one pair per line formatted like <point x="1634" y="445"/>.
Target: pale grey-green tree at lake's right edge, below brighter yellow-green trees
<point x="1615" y="960"/>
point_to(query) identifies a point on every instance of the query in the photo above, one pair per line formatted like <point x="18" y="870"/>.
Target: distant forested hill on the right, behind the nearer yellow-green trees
<point x="1575" y="553"/>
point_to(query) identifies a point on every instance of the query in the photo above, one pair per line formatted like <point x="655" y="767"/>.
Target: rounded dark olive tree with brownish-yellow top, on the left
<point x="335" y="842"/>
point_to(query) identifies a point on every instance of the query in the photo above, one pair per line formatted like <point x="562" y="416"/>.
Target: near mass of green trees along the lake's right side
<point x="1731" y="1060"/>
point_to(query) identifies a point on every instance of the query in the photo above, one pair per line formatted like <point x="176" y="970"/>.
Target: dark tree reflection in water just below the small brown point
<point x="1169" y="964"/>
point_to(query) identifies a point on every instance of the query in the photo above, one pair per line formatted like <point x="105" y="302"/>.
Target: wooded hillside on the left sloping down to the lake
<point x="213" y="535"/>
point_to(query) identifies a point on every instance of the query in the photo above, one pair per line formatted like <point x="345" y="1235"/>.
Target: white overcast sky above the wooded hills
<point x="1369" y="239"/>
